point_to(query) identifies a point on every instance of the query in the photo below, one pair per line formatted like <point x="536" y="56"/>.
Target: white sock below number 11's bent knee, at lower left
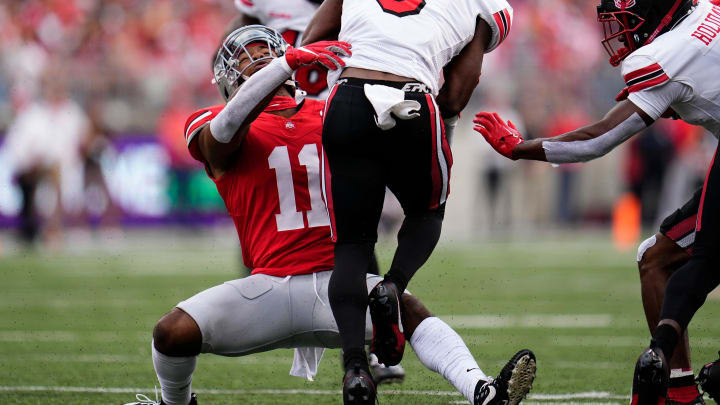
<point x="175" y="376"/>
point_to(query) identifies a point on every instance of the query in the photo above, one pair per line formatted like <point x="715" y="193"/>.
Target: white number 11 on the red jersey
<point x="289" y="217"/>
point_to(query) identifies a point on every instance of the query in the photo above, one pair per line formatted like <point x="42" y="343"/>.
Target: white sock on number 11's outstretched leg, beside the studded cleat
<point x="442" y="350"/>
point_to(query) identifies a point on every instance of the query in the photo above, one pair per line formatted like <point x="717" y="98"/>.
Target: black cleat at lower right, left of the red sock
<point x="650" y="381"/>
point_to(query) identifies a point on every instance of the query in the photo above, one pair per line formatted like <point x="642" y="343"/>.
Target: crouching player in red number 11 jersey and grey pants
<point x="262" y="151"/>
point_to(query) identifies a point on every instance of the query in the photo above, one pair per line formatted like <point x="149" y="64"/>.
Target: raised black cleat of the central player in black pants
<point x="388" y="342"/>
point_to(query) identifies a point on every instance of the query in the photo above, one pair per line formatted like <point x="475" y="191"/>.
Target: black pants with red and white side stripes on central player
<point x="412" y="159"/>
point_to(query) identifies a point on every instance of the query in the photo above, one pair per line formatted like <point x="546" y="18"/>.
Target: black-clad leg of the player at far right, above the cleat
<point x="689" y="286"/>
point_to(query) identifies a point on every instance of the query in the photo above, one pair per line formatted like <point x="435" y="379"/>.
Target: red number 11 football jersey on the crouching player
<point x="273" y="191"/>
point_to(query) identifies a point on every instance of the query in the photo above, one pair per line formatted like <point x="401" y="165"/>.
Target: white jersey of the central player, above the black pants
<point x="417" y="38"/>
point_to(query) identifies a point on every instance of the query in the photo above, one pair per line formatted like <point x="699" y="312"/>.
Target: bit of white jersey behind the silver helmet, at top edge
<point x="281" y="15"/>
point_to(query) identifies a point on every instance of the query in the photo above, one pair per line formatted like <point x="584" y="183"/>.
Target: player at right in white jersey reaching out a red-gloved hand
<point x="669" y="62"/>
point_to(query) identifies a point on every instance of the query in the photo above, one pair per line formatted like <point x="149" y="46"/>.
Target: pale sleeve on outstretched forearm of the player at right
<point x="582" y="151"/>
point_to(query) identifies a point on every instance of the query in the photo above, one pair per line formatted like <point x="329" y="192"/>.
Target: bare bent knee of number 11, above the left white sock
<point x="177" y="334"/>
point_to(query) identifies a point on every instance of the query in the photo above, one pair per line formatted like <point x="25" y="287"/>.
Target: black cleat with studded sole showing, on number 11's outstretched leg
<point x="511" y="385"/>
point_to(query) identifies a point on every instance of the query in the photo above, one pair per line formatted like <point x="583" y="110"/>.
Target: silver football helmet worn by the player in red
<point x="227" y="76"/>
